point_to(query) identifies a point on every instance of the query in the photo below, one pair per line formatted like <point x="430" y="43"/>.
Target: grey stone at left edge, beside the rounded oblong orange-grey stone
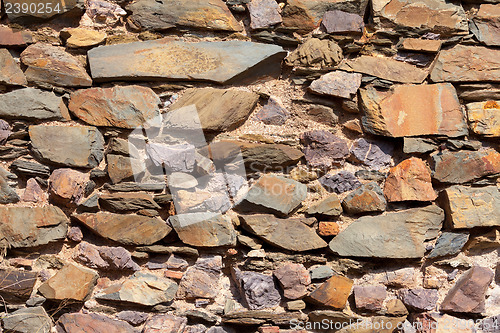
<point x="33" y="104"/>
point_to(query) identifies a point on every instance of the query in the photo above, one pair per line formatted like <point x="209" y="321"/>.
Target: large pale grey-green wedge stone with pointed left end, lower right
<point x="391" y="235"/>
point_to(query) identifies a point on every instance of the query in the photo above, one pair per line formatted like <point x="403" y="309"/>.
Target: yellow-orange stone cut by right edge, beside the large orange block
<point x="484" y="118"/>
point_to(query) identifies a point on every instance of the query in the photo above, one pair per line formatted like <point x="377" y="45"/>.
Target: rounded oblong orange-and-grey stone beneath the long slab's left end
<point x="124" y="107"/>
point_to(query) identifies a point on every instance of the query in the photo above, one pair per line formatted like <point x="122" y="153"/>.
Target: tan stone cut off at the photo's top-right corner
<point x="485" y="24"/>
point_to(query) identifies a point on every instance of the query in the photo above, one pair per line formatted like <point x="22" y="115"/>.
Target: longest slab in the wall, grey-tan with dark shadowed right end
<point x="164" y="59"/>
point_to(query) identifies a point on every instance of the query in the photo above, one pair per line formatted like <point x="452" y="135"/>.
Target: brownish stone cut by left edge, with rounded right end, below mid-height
<point x="31" y="226"/>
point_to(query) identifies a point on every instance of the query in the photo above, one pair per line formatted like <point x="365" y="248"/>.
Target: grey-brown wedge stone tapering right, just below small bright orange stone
<point x="289" y="234"/>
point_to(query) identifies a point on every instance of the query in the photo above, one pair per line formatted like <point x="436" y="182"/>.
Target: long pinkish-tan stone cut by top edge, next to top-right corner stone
<point x="437" y="16"/>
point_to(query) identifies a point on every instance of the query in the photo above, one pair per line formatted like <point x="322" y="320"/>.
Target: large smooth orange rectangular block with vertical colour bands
<point x="400" y="112"/>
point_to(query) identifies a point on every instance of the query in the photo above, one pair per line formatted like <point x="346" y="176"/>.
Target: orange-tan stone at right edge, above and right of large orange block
<point x="467" y="63"/>
